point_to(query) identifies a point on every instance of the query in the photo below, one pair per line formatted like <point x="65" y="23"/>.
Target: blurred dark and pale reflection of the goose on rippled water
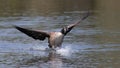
<point x="52" y="60"/>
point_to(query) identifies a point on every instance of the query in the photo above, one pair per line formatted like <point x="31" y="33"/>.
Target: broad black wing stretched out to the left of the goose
<point x="40" y="35"/>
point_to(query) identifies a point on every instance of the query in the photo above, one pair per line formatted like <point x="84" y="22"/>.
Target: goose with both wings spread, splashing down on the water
<point x="55" y="39"/>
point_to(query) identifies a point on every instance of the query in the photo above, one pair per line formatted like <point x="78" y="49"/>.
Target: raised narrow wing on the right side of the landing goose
<point x="68" y="28"/>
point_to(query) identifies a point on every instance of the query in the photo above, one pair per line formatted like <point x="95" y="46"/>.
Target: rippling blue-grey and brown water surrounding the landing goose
<point x="89" y="45"/>
